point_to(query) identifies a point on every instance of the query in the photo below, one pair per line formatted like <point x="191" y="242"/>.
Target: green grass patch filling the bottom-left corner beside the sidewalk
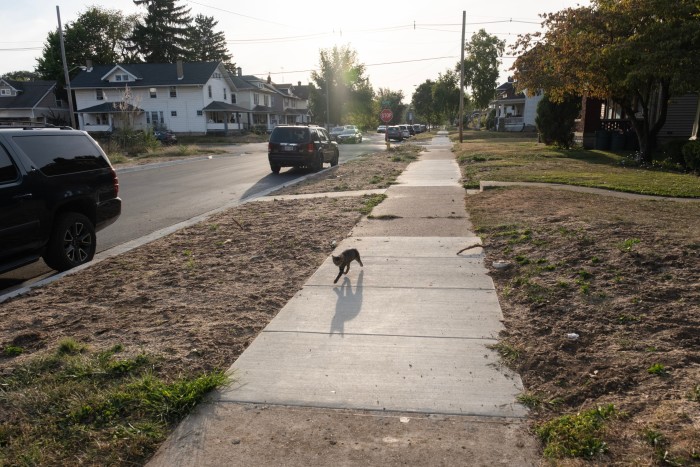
<point x="79" y="406"/>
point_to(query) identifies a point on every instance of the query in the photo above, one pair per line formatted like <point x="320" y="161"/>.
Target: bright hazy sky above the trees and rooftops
<point x="402" y="44"/>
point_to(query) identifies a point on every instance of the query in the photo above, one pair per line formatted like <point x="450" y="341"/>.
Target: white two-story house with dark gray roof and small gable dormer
<point x="186" y="98"/>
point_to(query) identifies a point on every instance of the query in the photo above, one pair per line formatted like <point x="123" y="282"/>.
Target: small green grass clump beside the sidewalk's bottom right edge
<point x="579" y="435"/>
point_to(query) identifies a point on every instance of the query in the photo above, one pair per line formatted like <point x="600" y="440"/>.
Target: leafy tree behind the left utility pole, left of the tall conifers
<point x="98" y="35"/>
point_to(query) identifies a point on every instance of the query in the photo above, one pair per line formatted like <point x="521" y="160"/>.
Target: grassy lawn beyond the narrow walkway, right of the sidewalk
<point x="494" y="156"/>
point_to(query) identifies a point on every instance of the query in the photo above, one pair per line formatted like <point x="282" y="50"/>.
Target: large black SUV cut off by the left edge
<point x="57" y="188"/>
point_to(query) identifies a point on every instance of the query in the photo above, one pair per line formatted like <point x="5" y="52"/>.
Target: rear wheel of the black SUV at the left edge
<point x="72" y="243"/>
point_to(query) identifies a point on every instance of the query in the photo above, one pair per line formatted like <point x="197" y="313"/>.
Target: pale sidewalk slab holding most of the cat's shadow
<point x="349" y="309"/>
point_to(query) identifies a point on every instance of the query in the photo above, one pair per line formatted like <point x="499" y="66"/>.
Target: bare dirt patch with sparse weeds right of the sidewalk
<point x="602" y="306"/>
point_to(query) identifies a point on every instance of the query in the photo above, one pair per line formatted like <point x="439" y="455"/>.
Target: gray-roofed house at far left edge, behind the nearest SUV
<point x="35" y="102"/>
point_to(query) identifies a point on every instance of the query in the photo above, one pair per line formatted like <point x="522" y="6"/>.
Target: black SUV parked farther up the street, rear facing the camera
<point x="301" y="146"/>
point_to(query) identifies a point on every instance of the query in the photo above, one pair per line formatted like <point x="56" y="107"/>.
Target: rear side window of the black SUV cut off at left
<point x="61" y="154"/>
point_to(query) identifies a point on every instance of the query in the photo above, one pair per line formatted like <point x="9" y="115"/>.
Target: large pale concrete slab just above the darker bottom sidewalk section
<point x="407" y="374"/>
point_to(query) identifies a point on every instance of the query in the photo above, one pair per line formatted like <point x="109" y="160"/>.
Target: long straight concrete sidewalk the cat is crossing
<point x="388" y="367"/>
